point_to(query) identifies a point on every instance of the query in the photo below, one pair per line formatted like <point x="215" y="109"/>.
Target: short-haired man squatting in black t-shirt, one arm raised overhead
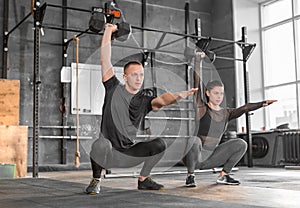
<point x="124" y="108"/>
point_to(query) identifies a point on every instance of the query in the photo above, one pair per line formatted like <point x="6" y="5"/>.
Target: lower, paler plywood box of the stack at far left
<point x="13" y="147"/>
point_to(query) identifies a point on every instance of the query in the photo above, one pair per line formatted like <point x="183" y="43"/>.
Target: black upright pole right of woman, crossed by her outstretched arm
<point x="247" y="95"/>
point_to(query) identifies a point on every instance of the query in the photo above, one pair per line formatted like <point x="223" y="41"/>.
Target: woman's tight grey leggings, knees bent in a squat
<point x="227" y="154"/>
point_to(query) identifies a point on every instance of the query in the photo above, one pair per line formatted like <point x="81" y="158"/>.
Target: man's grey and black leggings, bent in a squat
<point x="103" y="155"/>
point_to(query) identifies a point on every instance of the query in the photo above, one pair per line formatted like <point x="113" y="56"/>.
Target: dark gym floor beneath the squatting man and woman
<point x="260" y="187"/>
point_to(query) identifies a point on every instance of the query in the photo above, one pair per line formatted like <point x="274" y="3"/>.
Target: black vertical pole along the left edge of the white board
<point x="65" y="87"/>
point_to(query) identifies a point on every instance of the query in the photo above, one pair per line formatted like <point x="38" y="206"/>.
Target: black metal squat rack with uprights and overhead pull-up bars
<point x="38" y="14"/>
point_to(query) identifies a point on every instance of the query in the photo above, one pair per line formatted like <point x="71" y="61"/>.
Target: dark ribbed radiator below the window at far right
<point x="291" y="147"/>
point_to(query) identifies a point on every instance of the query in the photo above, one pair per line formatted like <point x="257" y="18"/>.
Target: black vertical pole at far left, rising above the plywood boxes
<point x="5" y="39"/>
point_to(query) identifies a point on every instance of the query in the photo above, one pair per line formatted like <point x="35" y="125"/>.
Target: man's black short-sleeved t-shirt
<point x="123" y="113"/>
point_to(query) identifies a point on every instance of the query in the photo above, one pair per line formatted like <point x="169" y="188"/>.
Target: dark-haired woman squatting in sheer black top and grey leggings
<point x="205" y="152"/>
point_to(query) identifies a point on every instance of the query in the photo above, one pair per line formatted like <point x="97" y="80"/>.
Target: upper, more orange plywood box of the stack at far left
<point x="9" y="102"/>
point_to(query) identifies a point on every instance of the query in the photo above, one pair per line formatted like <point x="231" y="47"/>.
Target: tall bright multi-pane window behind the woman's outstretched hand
<point x="281" y="38"/>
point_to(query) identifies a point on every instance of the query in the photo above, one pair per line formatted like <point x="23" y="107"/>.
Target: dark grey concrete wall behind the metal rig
<point x="168" y="15"/>
